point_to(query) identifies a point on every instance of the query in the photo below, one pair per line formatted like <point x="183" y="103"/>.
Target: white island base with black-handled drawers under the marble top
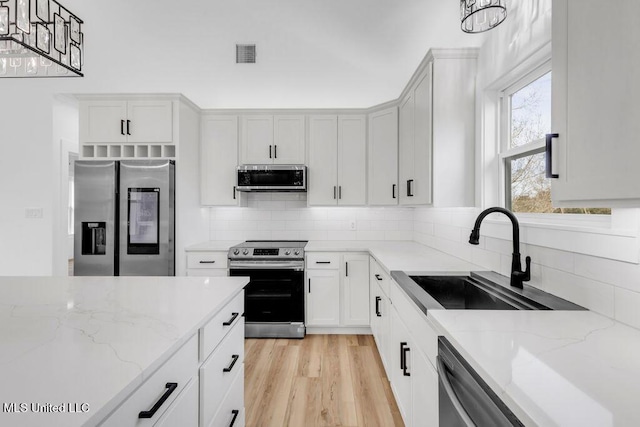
<point x="199" y="384"/>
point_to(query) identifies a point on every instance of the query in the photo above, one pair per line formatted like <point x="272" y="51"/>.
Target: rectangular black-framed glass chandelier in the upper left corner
<point x="39" y="38"/>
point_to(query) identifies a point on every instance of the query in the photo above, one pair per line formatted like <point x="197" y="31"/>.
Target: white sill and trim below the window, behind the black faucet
<point x="591" y="236"/>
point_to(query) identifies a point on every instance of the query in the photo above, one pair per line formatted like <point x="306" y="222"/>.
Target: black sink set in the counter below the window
<point x="476" y="291"/>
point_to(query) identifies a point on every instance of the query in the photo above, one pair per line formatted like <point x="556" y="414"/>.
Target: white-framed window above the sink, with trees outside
<point x="526" y="119"/>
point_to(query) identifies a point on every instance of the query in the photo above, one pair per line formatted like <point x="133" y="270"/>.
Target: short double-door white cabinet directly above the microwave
<point x="270" y="139"/>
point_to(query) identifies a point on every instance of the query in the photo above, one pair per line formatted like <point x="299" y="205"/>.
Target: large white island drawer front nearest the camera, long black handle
<point x="179" y="369"/>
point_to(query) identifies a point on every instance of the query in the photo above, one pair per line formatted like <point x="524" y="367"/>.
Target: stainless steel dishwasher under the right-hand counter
<point x="464" y="398"/>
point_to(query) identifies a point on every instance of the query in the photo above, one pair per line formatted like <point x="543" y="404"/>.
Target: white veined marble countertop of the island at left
<point x="94" y="340"/>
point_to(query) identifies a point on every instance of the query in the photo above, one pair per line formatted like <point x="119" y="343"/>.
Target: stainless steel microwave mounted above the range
<point x="272" y="178"/>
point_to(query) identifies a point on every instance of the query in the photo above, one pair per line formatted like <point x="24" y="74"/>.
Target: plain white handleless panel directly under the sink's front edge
<point x="422" y="330"/>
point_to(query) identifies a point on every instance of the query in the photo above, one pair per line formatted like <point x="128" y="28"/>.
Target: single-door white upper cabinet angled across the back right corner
<point x="383" y="157"/>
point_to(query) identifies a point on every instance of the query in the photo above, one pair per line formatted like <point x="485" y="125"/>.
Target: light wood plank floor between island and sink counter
<point x="322" y="380"/>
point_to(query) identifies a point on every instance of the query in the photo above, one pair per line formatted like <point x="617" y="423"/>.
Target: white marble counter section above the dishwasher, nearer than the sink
<point x="552" y="368"/>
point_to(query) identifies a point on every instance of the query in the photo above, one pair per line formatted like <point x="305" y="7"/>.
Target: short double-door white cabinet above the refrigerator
<point x="120" y="121"/>
